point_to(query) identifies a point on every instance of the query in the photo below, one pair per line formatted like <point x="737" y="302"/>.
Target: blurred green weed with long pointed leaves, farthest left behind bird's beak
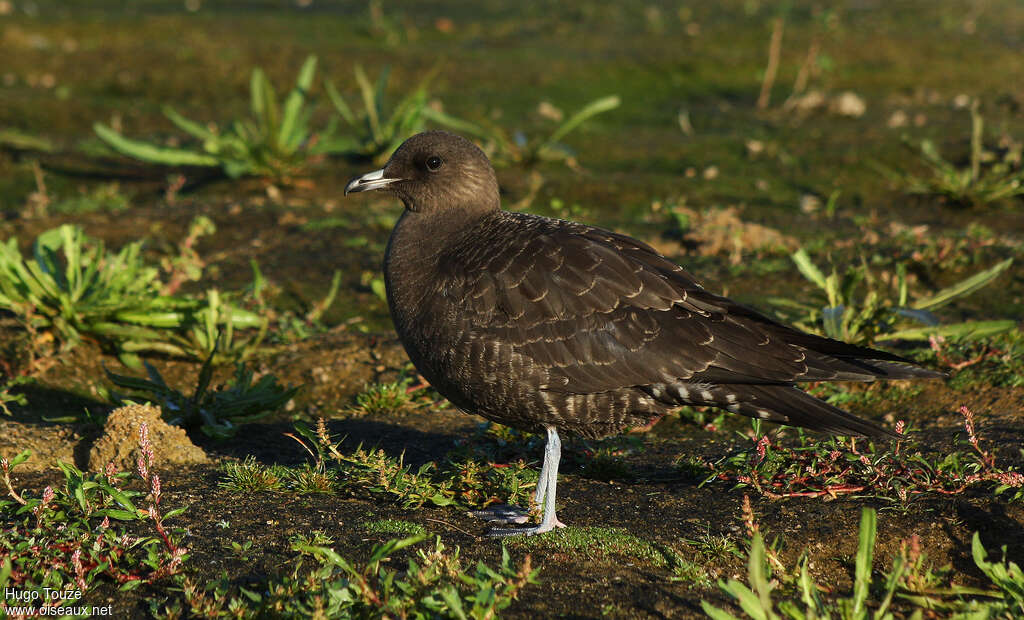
<point x="276" y="142"/>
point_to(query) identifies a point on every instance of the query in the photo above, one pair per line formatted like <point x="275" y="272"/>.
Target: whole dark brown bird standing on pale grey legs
<point x="552" y="326"/>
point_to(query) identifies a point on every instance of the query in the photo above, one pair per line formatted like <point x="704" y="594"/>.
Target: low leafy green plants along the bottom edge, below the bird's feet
<point x="434" y="584"/>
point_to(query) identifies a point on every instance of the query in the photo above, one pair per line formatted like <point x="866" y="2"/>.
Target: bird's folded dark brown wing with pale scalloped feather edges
<point x="602" y="312"/>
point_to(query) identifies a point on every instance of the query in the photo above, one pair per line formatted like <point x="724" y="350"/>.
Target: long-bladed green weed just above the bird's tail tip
<point x="860" y="308"/>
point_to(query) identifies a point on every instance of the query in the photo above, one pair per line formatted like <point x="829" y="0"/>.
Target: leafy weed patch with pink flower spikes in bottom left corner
<point x="73" y="536"/>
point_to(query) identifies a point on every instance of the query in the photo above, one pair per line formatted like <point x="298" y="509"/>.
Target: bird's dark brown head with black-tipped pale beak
<point x="435" y="173"/>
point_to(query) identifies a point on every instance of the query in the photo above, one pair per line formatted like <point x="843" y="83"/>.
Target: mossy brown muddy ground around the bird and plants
<point x="66" y="68"/>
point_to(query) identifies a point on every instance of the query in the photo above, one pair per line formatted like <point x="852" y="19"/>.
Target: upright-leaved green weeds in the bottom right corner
<point x="773" y="594"/>
